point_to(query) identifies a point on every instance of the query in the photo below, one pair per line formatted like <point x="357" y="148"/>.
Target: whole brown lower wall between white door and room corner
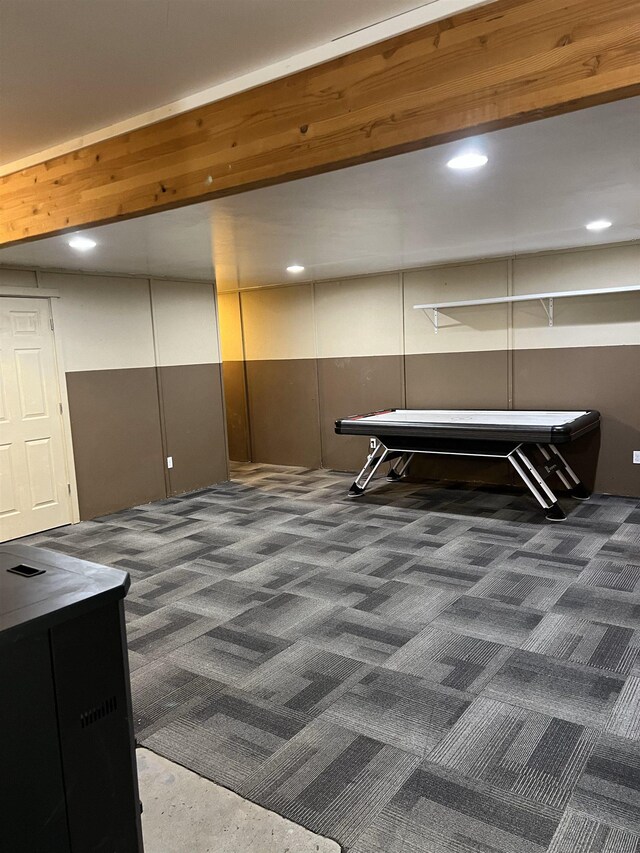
<point x="118" y="441"/>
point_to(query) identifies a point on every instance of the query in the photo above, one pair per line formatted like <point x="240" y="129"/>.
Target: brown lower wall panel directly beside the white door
<point x="117" y="443"/>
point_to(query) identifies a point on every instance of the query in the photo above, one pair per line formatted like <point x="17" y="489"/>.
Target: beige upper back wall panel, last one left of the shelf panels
<point x="359" y="317"/>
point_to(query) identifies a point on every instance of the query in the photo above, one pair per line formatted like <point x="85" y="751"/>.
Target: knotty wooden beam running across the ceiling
<point x="496" y="66"/>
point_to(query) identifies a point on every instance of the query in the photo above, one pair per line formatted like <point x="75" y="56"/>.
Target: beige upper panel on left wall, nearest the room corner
<point x="185" y="324"/>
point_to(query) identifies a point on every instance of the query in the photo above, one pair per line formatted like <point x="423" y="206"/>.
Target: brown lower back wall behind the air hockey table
<point x="284" y="407"/>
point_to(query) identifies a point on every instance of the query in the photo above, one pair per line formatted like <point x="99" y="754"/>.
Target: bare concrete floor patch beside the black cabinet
<point x="184" y="813"/>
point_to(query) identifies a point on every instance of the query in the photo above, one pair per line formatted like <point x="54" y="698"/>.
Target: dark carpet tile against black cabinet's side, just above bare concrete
<point x="161" y="692"/>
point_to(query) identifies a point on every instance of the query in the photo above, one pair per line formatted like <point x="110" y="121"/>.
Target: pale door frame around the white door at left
<point x="53" y="298"/>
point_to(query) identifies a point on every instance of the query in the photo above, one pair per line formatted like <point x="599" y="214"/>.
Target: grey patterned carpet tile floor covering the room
<point x="427" y="669"/>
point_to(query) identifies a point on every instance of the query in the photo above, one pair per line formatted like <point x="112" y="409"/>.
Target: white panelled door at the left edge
<point x="34" y="494"/>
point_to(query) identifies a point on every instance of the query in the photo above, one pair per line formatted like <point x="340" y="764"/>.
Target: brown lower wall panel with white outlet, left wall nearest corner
<point x="194" y="425"/>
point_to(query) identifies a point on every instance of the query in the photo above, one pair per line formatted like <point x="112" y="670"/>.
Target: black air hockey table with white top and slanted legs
<point x="527" y="439"/>
